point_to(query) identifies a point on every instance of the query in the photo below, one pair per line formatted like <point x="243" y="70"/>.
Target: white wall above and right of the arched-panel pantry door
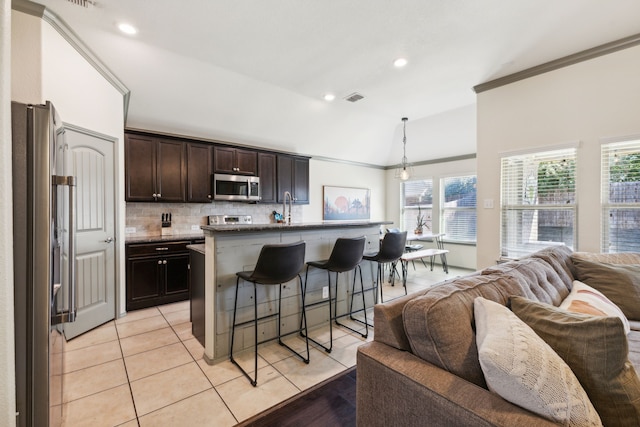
<point x="50" y="69"/>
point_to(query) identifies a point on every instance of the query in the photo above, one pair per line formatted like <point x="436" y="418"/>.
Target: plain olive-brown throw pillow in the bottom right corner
<point x="596" y="350"/>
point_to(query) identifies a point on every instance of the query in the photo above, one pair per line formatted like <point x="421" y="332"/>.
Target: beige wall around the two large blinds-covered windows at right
<point x="585" y="102"/>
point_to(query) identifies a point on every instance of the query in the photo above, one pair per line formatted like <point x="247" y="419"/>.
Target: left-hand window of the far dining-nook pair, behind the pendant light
<point x="417" y="193"/>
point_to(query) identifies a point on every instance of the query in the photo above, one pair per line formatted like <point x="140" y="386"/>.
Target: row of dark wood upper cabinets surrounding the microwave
<point x="169" y="169"/>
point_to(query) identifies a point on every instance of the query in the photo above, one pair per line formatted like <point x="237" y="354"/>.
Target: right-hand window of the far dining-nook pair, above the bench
<point x="458" y="208"/>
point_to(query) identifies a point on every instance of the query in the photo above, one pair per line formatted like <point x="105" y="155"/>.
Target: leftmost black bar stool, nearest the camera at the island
<point x="277" y="264"/>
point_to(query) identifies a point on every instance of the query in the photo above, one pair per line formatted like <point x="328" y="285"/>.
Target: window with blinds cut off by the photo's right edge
<point x="621" y="196"/>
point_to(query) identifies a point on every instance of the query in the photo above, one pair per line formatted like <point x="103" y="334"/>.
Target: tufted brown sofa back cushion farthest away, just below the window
<point x="543" y="282"/>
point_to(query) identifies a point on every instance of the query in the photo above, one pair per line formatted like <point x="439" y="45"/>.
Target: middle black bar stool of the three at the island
<point x="345" y="256"/>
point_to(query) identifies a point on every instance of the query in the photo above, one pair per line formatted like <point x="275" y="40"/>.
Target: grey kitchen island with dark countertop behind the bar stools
<point x="233" y="248"/>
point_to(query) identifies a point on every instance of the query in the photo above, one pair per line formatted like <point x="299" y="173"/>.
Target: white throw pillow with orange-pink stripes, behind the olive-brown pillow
<point x="587" y="300"/>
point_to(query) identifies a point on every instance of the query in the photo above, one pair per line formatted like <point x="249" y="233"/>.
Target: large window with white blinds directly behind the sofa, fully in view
<point x="538" y="201"/>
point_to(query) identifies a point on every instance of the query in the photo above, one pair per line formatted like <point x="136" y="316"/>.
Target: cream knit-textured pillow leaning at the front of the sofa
<point x="520" y="367"/>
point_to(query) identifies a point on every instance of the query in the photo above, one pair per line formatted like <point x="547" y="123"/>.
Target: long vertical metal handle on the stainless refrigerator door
<point x="70" y="314"/>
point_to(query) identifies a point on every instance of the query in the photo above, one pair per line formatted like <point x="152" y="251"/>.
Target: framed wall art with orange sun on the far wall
<point x="346" y="203"/>
